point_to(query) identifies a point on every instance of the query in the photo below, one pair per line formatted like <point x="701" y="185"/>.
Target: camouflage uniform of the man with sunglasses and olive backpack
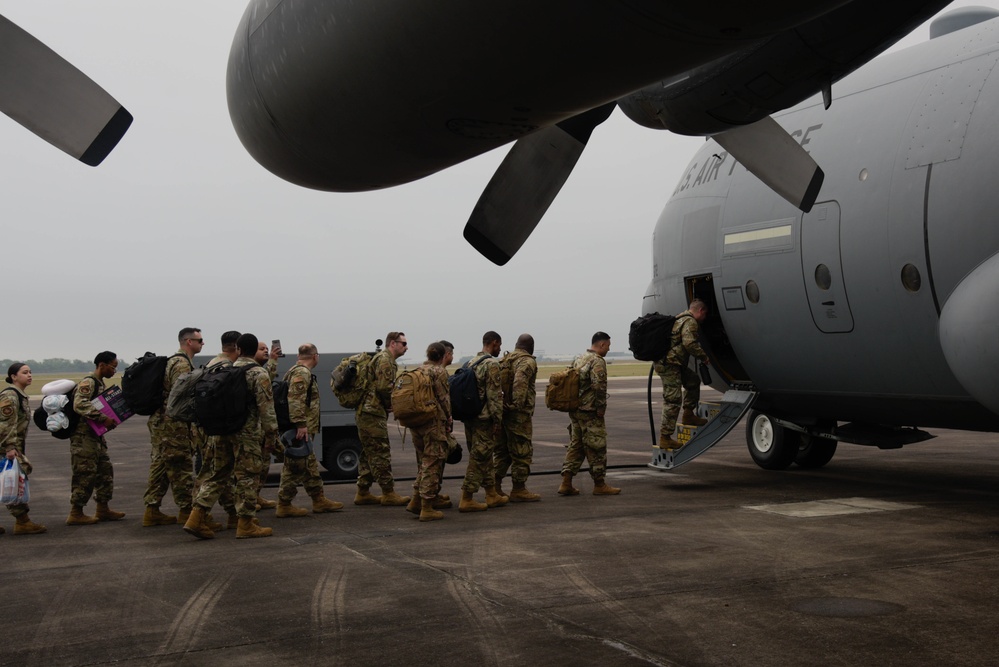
<point x="375" y="462"/>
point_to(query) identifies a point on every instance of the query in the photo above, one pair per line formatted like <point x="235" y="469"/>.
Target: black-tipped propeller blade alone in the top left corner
<point x="56" y="101"/>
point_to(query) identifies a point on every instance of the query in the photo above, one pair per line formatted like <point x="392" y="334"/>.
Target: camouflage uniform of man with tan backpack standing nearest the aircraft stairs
<point x="588" y="434"/>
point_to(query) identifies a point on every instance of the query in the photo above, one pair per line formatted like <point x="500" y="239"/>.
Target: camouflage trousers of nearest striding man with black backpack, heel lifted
<point x="231" y="463"/>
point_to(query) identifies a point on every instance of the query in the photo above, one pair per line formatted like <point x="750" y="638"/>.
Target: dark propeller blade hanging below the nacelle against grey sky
<point x="526" y="183"/>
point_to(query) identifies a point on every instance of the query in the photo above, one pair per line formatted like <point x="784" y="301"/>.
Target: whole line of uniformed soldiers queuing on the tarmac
<point x="231" y="468"/>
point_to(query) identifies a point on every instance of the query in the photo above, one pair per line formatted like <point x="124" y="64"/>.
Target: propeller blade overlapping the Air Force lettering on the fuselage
<point x="773" y="156"/>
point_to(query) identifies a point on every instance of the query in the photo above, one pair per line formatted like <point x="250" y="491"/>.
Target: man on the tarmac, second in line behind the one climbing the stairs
<point x="514" y="450"/>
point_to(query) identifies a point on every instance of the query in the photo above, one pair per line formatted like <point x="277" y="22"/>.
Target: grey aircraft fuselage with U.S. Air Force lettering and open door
<point x="878" y="310"/>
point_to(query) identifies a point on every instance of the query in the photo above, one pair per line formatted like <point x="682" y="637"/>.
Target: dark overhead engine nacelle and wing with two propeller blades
<point x="346" y="96"/>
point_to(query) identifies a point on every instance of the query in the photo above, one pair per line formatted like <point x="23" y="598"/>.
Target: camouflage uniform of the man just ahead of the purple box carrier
<point x="173" y="445"/>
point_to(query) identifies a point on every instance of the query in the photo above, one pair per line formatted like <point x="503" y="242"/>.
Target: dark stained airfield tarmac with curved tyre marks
<point x="880" y="558"/>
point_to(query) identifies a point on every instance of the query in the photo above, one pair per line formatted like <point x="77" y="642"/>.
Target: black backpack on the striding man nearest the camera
<point x="222" y="399"/>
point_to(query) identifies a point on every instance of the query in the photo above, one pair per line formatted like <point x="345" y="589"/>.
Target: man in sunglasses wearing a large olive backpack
<point x="375" y="462"/>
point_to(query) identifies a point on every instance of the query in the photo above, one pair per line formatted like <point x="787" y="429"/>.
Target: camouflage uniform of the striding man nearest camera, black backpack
<point x="239" y="456"/>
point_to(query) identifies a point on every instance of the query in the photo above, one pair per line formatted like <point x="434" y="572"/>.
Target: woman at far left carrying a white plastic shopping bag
<point x="14" y="420"/>
